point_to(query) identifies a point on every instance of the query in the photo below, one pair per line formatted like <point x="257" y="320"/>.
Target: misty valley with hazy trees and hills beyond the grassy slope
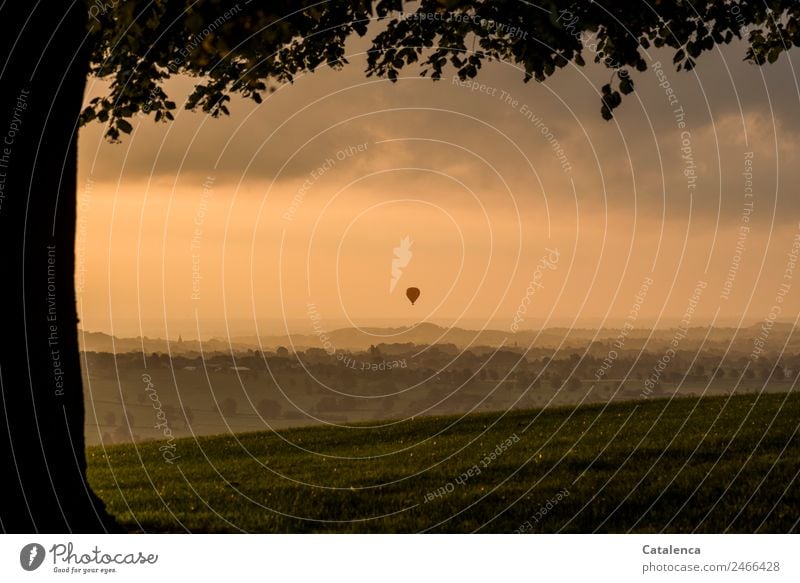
<point x="142" y="396"/>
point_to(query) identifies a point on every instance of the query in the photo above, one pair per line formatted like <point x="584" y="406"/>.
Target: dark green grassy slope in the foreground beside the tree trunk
<point x="713" y="464"/>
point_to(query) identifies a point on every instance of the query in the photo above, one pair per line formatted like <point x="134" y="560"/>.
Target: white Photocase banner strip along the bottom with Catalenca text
<point x="399" y="558"/>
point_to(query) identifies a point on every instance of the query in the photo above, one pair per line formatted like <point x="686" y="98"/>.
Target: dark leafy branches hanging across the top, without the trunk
<point x="249" y="48"/>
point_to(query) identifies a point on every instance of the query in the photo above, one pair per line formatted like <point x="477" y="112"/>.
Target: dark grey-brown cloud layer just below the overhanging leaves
<point x="730" y="108"/>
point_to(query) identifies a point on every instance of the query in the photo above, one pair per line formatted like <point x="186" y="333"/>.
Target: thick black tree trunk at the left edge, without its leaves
<point x="43" y="68"/>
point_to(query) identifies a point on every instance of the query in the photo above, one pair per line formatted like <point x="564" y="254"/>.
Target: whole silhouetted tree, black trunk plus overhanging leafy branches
<point x="242" y="49"/>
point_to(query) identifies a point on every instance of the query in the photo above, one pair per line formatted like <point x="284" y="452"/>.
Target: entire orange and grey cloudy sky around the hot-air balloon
<point x="524" y="207"/>
